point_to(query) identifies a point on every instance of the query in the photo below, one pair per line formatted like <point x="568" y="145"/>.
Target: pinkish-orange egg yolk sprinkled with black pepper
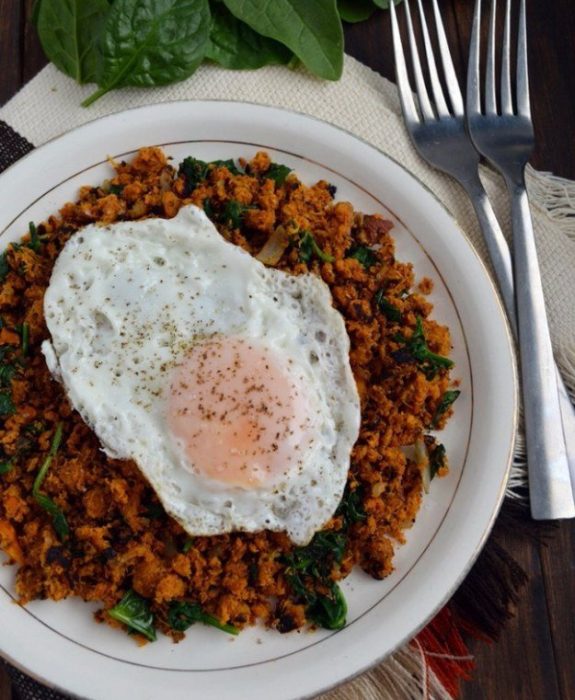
<point x="238" y="412"/>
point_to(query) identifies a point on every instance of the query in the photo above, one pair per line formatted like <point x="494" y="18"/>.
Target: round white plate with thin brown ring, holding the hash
<point x="60" y="644"/>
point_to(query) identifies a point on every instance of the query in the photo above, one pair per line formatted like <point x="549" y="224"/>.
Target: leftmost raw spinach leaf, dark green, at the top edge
<point x="69" y="31"/>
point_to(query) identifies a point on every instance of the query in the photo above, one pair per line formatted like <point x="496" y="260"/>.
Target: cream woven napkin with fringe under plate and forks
<point x="367" y="105"/>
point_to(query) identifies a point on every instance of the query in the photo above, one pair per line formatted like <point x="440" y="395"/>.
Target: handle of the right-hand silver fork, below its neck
<point x="549" y="482"/>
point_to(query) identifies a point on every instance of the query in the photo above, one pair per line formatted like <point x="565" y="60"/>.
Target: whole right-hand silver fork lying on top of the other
<point x="506" y="139"/>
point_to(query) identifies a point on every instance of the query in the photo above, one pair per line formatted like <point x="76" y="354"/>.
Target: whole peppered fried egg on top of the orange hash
<point x="228" y="383"/>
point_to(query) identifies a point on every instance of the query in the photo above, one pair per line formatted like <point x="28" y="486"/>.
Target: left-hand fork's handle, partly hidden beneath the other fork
<point x="503" y="267"/>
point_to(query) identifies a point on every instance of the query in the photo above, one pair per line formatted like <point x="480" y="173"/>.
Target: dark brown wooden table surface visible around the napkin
<point x="535" y="657"/>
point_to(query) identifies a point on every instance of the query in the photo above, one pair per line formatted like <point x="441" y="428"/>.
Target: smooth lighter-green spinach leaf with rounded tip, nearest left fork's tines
<point x="310" y="28"/>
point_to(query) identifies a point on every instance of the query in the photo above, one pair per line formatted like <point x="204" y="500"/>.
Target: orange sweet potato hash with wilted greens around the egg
<point x="78" y="523"/>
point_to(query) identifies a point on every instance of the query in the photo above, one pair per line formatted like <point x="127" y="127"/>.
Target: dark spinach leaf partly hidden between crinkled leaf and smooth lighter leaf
<point x="234" y="44"/>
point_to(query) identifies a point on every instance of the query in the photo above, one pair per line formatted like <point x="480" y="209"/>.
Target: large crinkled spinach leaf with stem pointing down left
<point x="151" y="42"/>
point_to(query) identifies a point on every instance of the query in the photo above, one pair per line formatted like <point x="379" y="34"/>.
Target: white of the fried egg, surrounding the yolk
<point x="125" y="303"/>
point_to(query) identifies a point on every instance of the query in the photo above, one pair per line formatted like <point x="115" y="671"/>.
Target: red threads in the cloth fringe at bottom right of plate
<point x="445" y="652"/>
